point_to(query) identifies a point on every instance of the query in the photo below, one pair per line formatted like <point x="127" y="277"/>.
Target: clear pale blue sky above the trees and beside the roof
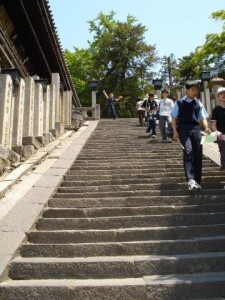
<point x="174" y="26"/>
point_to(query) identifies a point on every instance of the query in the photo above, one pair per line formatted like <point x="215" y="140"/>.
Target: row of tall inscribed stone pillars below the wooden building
<point x="31" y="114"/>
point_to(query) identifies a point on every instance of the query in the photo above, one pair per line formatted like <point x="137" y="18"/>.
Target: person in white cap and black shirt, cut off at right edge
<point x="218" y="124"/>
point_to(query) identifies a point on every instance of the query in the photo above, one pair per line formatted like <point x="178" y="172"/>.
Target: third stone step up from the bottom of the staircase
<point x="162" y="247"/>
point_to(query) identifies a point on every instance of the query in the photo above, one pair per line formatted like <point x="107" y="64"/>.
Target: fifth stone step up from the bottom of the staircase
<point x="130" y="221"/>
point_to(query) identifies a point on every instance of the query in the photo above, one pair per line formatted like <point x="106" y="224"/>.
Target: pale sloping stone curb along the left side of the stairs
<point x="26" y="191"/>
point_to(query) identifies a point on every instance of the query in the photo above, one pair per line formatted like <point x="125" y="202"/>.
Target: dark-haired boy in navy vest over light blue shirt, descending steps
<point x="186" y="120"/>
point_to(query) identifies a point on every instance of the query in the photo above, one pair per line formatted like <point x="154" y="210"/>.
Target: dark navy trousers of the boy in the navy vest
<point x="190" y="139"/>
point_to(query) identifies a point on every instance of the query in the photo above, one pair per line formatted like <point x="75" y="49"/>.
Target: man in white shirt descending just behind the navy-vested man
<point x="165" y="107"/>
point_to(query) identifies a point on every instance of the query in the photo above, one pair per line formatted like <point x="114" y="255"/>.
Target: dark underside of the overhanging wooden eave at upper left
<point x="35" y="30"/>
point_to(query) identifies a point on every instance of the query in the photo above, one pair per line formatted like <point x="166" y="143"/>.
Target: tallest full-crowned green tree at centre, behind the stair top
<point x="123" y="59"/>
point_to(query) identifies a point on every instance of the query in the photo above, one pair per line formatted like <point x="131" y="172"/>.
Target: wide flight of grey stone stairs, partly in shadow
<point x="124" y="226"/>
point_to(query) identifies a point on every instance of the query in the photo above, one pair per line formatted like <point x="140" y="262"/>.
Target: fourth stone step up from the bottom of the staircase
<point x="128" y="235"/>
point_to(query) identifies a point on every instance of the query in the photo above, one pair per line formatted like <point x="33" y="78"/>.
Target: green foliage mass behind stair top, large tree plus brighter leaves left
<point x="118" y="57"/>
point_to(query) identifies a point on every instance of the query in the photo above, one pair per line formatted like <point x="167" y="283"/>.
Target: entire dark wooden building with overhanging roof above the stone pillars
<point x="29" y="42"/>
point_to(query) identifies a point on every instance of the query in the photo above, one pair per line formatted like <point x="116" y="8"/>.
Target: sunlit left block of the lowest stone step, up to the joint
<point x="124" y="289"/>
